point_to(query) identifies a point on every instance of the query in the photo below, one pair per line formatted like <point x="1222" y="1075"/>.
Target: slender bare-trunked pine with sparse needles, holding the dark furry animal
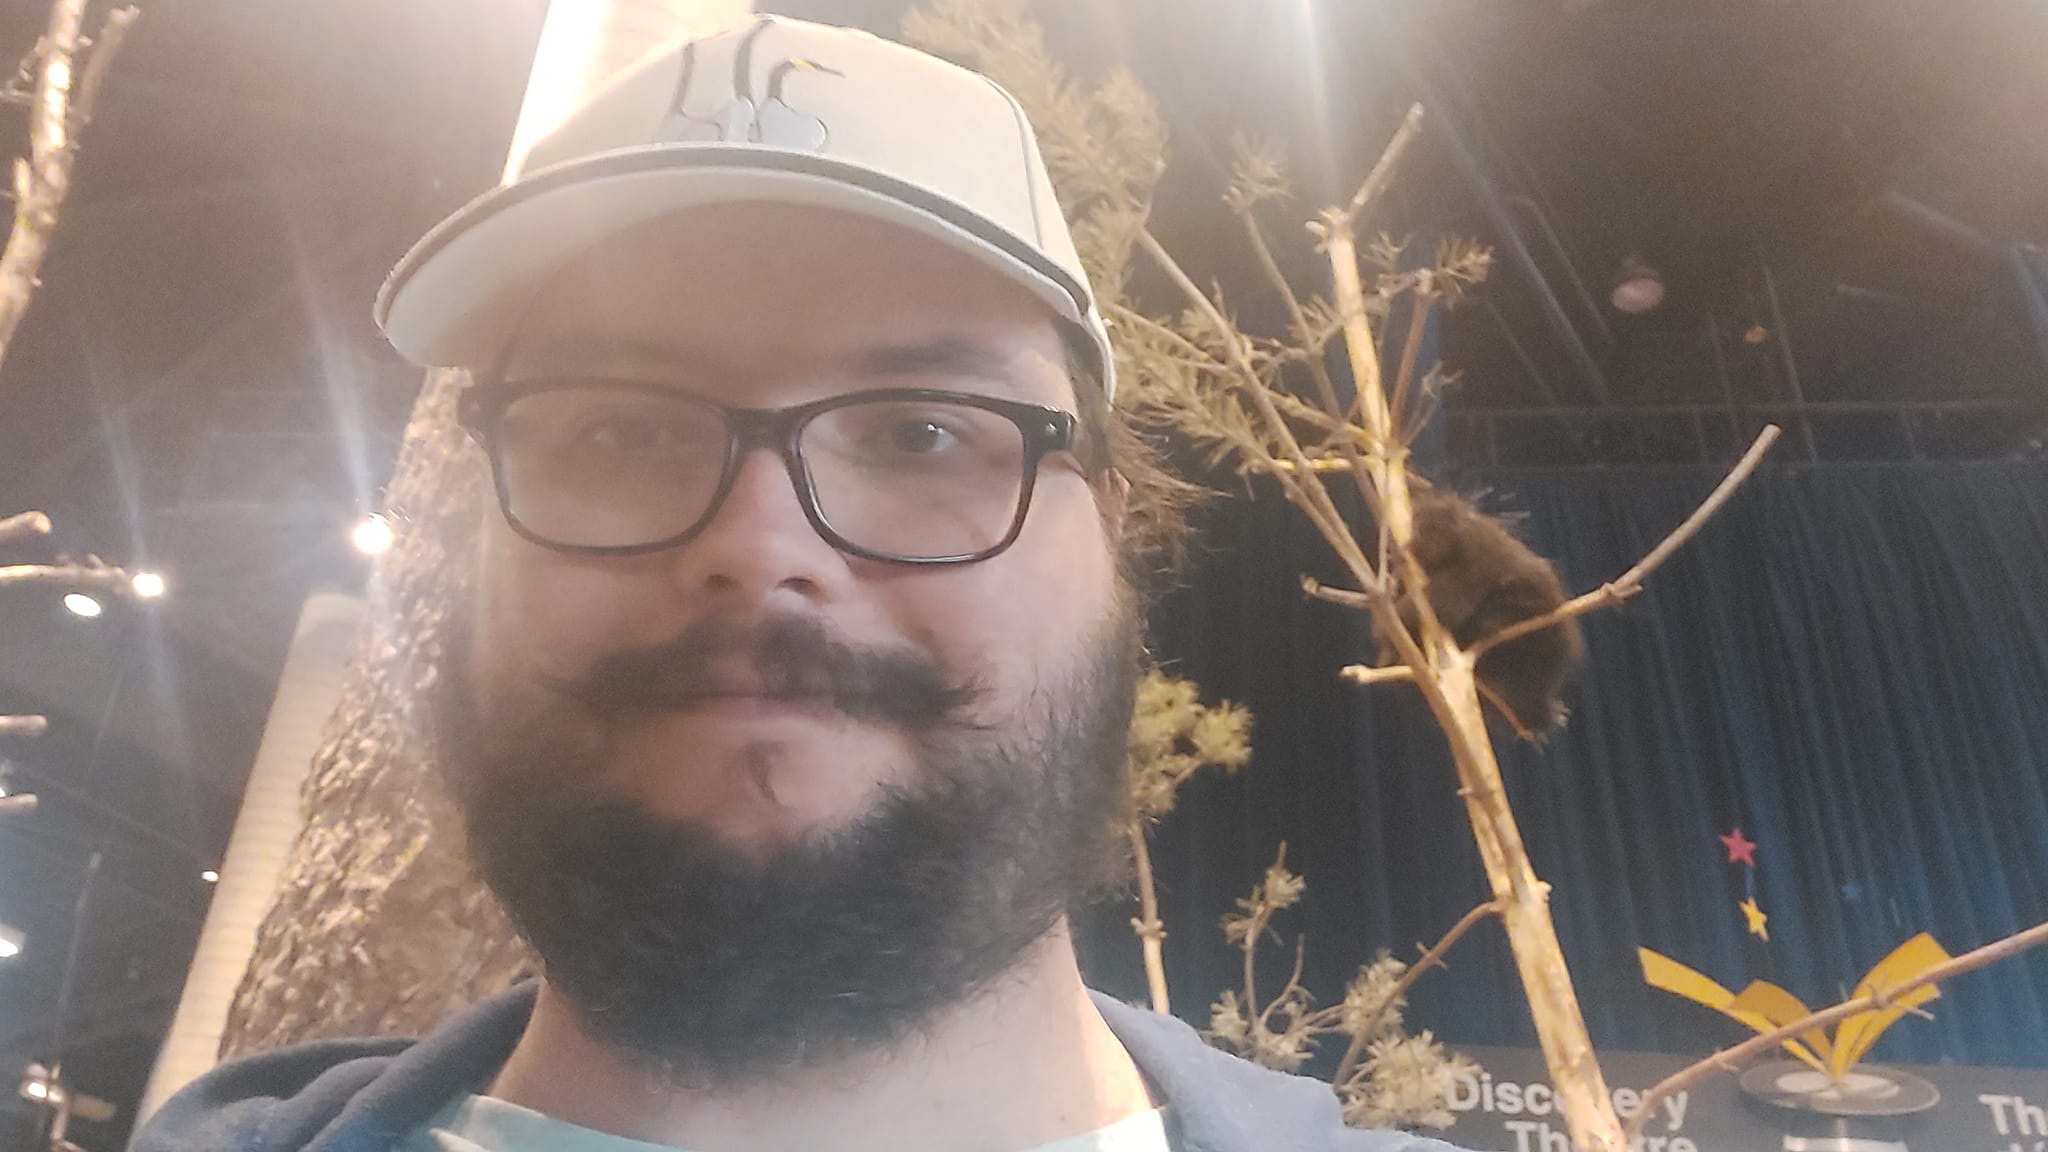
<point x="1273" y="409"/>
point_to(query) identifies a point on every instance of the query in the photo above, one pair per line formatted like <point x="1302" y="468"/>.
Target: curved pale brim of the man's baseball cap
<point x="464" y="288"/>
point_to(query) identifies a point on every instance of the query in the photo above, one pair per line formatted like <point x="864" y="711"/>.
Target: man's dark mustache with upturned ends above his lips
<point x="790" y="659"/>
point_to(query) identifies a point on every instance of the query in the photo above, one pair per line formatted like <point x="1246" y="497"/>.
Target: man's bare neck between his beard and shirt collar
<point x="1023" y="1065"/>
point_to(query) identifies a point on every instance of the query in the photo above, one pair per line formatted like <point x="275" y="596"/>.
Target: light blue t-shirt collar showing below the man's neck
<point x="484" y="1124"/>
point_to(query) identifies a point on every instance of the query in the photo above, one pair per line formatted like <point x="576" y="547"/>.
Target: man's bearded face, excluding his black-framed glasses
<point x="978" y="727"/>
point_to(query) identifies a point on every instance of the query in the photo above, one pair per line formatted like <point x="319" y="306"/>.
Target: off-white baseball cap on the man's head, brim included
<point x="779" y="112"/>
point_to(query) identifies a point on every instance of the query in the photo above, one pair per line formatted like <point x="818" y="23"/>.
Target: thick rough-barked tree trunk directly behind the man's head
<point x="380" y="928"/>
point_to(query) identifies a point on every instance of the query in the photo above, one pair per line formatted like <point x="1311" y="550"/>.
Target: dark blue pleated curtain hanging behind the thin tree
<point x="1850" y="665"/>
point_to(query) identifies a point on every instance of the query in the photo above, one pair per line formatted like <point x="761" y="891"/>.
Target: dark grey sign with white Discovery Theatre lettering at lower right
<point x="1510" y="1108"/>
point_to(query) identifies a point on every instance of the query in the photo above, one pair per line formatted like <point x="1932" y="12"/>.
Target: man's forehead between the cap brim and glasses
<point x="790" y="292"/>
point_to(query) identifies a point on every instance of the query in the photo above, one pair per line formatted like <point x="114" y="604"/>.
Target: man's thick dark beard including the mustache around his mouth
<point x="712" y="966"/>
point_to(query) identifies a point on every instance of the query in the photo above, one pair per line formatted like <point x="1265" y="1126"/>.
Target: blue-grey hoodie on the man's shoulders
<point x="366" y="1096"/>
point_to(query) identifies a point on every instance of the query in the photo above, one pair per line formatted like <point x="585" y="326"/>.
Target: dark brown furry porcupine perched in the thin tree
<point x="1484" y="579"/>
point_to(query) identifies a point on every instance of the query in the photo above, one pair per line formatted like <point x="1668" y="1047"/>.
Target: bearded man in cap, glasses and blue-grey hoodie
<point x="790" y="710"/>
